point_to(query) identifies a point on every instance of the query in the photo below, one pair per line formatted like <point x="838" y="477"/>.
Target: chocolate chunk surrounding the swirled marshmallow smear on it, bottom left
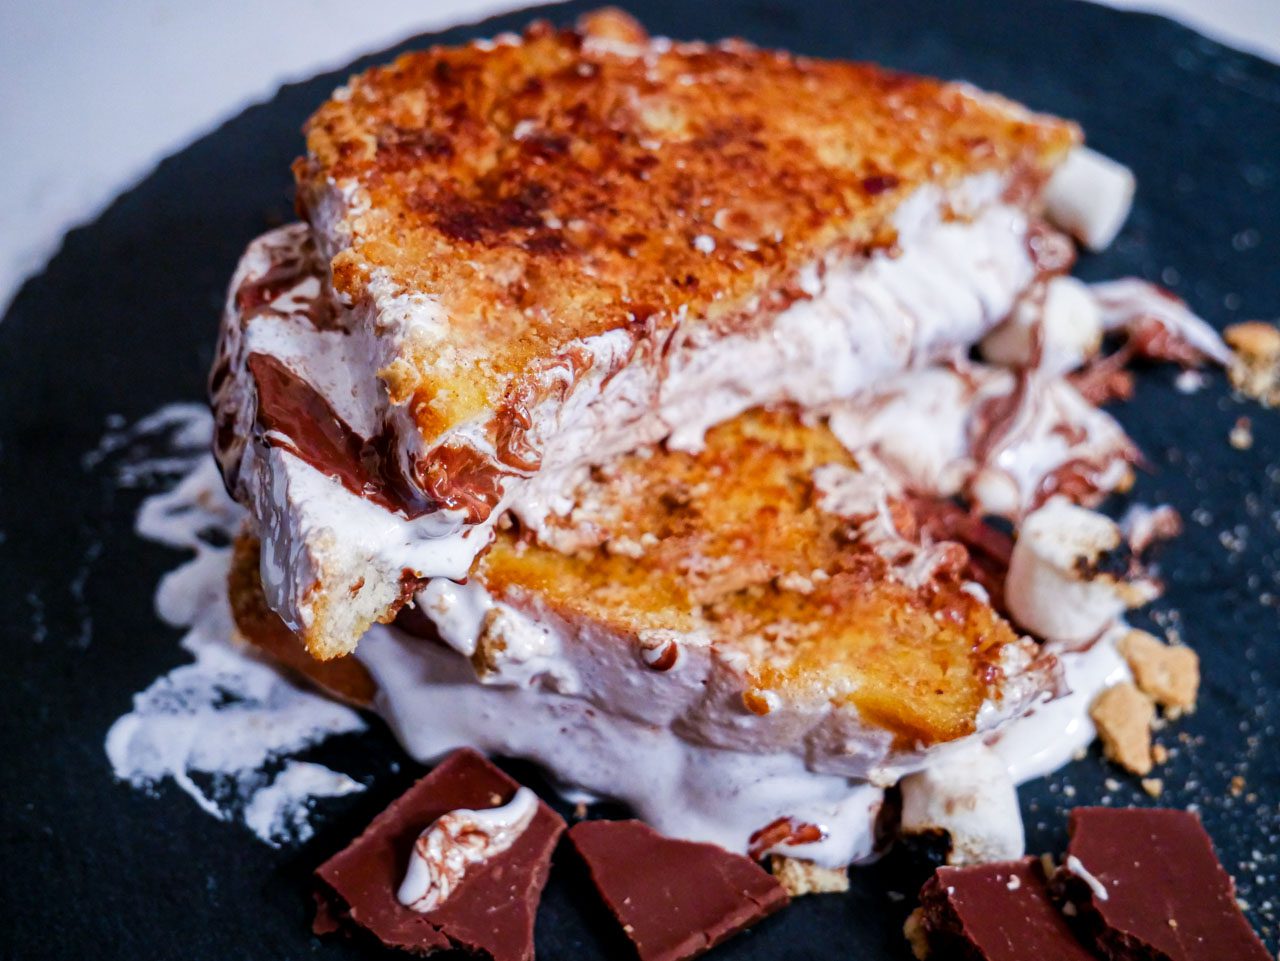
<point x="492" y="909"/>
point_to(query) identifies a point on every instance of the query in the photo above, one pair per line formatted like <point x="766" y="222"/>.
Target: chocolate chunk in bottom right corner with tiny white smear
<point x="1168" y="896"/>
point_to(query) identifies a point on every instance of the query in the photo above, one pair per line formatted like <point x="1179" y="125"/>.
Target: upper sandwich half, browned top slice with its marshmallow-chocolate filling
<point x="538" y="253"/>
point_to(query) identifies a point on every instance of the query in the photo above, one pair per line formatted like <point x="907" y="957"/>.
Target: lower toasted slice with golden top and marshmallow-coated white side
<point x="767" y="593"/>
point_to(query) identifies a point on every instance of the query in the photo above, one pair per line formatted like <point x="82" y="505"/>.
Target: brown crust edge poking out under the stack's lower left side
<point x="345" y="679"/>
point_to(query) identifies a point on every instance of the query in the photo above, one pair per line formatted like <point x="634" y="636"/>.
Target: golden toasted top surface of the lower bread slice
<point x="733" y="542"/>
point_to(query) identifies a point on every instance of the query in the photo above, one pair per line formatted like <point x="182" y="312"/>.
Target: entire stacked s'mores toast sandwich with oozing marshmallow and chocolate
<point x="625" y="395"/>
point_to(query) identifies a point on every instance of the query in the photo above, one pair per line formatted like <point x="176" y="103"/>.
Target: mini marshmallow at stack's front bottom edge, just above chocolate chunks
<point x="970" y="795"/>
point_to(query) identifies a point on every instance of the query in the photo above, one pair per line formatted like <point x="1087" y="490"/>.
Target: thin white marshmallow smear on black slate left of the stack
<point x="221" y="726"/>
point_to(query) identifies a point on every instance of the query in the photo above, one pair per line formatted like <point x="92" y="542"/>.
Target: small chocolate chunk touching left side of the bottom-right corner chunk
<point x="996" y="912"/>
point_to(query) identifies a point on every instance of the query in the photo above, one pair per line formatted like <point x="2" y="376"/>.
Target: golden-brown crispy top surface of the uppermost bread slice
<point x="561" y="185"/>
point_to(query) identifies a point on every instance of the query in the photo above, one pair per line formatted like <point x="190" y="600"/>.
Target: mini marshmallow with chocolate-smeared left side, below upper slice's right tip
<point x="1057" y="328"/>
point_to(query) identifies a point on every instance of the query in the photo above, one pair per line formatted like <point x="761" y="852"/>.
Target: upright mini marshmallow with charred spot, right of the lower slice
<point x="1055" y="588"/>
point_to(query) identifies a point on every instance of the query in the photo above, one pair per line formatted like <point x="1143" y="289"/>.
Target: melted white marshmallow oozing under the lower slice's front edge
<point x="435" y="704"/>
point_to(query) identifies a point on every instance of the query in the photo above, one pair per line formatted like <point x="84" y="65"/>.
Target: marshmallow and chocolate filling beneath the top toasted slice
<point x="308" y="438"/>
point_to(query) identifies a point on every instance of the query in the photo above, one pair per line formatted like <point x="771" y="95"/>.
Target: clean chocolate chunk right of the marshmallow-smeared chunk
<point x="674" y="899"/>
